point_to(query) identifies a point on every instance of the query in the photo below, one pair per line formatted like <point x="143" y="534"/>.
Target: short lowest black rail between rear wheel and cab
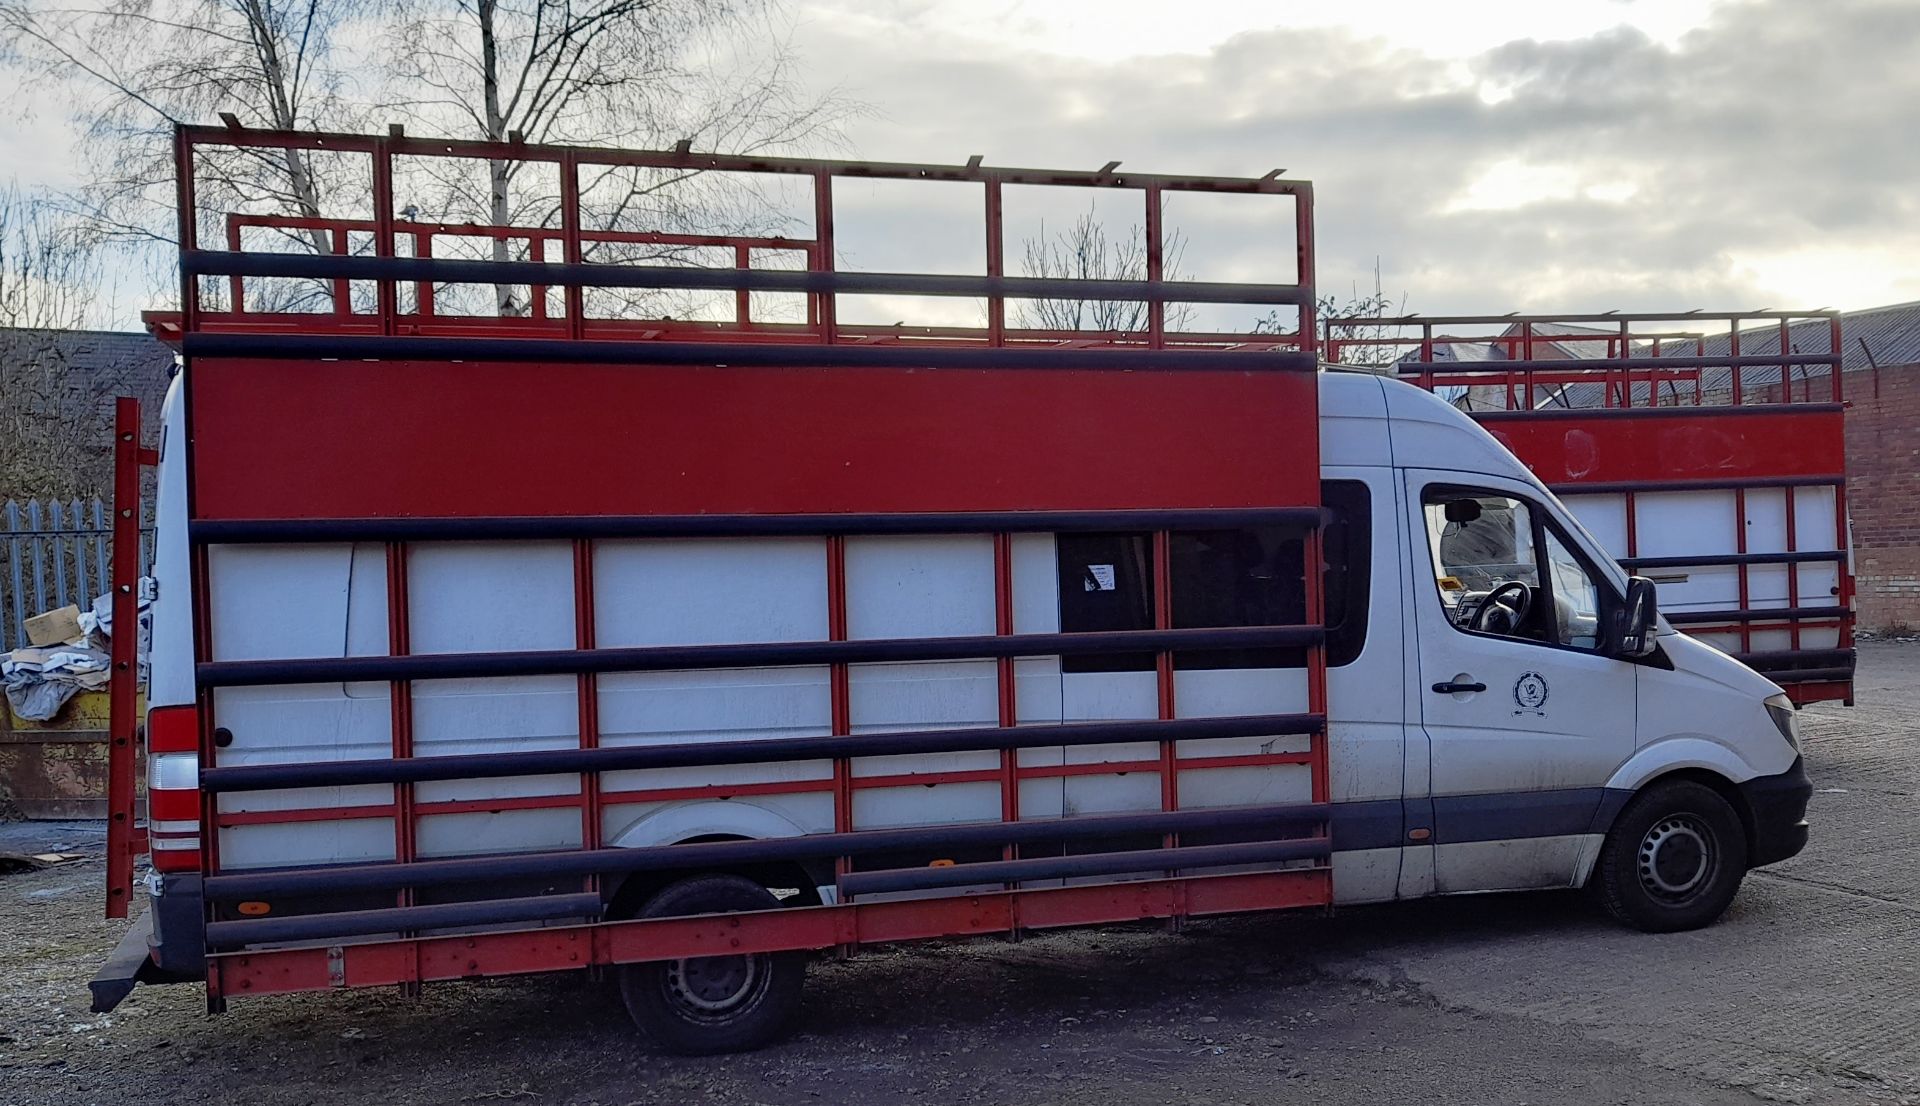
<point x="1086" y="865"/>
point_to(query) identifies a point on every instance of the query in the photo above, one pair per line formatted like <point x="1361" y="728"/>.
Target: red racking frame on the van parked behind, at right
<point x="1681" y="437"/>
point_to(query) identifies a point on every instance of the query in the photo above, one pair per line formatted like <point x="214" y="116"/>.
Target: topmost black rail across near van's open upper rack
<point x="819" y="283"/>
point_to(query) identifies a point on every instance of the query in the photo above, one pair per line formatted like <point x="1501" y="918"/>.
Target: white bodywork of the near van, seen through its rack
<point x="1399" y="765"/>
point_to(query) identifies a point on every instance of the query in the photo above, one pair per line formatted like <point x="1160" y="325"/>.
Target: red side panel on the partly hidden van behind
<point x="1652" y="448"/>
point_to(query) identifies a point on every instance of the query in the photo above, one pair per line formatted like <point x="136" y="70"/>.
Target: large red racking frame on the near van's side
<point x="1220" y="431"/>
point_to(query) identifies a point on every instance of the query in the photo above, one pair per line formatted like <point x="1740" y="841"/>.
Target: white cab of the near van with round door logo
<point x="1541" y="748"/>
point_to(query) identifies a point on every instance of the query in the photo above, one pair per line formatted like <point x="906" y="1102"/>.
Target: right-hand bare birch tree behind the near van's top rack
<point x="602" y="72"/>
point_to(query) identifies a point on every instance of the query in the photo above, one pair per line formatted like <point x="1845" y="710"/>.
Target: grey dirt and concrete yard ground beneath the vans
<point x="1808" y="992"/>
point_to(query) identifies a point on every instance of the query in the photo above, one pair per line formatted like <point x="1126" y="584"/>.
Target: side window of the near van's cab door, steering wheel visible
<point x="1506" y="573"/>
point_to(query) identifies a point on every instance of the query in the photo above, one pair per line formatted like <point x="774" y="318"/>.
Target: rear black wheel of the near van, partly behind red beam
<point x="713" y="1003"/>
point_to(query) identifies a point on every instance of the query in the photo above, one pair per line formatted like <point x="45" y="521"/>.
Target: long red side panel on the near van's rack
<point x="358" y="441"/>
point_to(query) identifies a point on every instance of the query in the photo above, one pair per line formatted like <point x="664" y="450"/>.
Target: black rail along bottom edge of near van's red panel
<point x="569" y="527"/>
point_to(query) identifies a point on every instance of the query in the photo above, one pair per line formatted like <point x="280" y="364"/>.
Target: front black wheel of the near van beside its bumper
<point x="1673" y="859"/>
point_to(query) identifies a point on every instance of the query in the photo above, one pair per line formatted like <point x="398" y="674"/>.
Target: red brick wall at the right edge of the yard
<point x="1884" y="494"/>
